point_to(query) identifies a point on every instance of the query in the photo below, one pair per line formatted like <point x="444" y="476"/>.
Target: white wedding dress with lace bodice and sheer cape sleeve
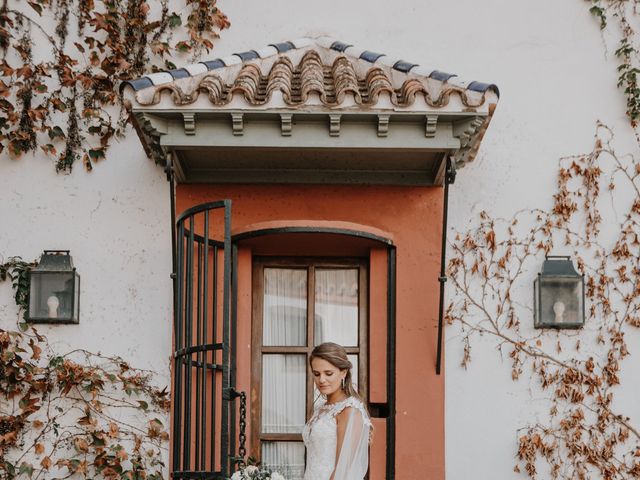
<point x="320" y="437"/>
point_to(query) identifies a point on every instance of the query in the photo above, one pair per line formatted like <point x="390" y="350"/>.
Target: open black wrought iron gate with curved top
<point x="203" y="433"/>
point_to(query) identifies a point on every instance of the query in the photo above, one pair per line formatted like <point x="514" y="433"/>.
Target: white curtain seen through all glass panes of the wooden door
<point x="284" y="375"/>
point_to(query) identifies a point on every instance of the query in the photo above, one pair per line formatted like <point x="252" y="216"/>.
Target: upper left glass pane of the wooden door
<point x="285" y="307"/>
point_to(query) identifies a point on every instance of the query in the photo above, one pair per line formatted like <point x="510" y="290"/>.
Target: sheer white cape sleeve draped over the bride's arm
<point x="353" y="459"/>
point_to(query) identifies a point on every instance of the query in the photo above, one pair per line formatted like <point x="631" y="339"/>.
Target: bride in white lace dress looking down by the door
<point x="337" y="435"/>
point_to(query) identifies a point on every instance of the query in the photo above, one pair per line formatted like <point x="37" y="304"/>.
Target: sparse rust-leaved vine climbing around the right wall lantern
<point x="582" y="436"/>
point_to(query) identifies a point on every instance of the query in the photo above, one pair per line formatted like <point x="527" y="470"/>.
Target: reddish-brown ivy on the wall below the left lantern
<point x="78" y="413"/>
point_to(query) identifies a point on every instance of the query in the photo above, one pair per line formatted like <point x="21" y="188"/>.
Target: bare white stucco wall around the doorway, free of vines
<point x="549" y="60"/>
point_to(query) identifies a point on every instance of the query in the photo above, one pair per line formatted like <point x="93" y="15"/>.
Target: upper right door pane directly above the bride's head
<point x="336" y="306"/>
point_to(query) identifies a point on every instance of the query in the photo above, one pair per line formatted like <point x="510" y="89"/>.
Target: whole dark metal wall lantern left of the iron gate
<point x="54" y="290"/>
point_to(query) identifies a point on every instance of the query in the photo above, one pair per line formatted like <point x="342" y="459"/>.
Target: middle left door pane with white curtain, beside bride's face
<point x="283" y="393"/>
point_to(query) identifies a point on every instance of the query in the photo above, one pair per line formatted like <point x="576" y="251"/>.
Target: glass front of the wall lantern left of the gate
<point x="52" y="296"/>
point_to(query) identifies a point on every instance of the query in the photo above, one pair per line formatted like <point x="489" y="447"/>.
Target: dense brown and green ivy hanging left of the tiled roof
<point x="66" y="102"/>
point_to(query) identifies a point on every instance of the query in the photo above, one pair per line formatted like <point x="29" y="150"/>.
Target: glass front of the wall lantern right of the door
<point x="561" y="302"/>
